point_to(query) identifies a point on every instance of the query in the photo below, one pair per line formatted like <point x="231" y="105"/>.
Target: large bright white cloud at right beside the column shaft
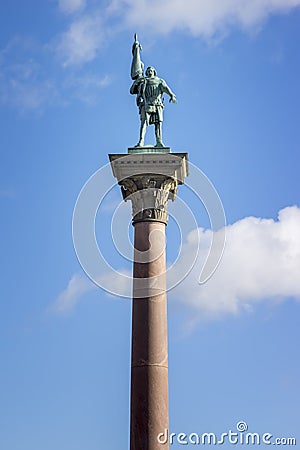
<point x="261" y="262"/>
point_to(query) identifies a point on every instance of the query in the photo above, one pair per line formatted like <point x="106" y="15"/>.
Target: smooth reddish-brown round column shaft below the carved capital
<point x="149" y="354"/>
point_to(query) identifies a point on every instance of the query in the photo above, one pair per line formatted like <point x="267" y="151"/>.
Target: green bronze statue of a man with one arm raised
<point x="149" y="90"/>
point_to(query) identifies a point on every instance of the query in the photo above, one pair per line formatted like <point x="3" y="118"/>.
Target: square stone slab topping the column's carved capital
<point x="173" y="165"/>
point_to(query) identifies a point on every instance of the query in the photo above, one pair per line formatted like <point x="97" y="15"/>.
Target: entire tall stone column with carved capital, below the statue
<point x="149" y="180"/>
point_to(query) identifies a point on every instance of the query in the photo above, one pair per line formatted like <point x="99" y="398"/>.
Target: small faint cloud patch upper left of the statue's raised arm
<point x="82" y="41"/>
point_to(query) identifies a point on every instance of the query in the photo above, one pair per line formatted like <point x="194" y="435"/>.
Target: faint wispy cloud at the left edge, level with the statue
<point x="30" y="83"/>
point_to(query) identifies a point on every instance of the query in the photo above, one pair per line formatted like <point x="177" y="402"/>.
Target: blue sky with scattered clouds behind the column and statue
<point x="64" y="105"/>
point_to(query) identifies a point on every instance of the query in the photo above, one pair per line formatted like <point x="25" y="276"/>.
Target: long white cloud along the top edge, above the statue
<point x="200" y="17"/>
